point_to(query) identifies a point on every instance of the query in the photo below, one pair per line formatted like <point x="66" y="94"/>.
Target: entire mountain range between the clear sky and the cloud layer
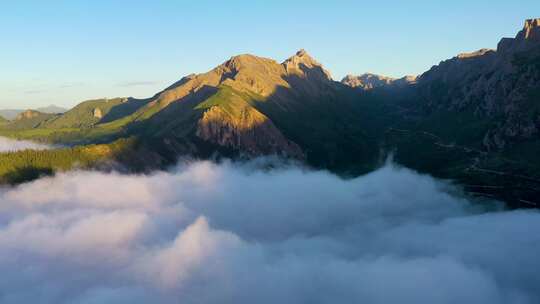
<point x="474" y="118"/>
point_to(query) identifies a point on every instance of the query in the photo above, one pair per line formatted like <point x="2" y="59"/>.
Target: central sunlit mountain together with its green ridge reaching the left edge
<point x="247" y="106"/>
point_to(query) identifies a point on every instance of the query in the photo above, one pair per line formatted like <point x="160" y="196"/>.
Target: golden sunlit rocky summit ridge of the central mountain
<point x="299" y="75"/>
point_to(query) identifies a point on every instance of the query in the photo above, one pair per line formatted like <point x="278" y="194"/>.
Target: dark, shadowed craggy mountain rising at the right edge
<point x="475" y="118"/>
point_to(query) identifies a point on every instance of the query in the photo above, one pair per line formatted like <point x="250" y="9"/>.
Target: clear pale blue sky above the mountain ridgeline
<point x="64" y="52"/>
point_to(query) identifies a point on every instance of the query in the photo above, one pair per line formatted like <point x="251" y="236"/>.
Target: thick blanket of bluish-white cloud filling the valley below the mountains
<point x="208" y="233"/>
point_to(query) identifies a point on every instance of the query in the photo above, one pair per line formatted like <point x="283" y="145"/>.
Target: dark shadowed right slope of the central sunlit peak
<point x="328" y="120"/>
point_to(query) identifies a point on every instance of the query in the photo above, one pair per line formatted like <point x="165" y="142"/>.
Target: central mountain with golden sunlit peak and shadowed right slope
<point x="257" y="106"/>
